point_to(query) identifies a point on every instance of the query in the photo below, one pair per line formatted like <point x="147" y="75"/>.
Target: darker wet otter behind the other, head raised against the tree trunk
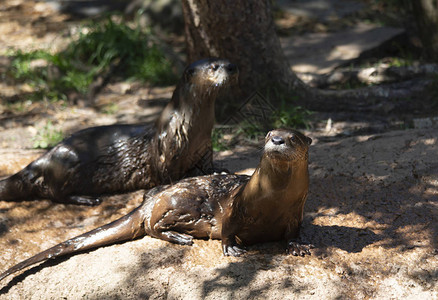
<point x="120" y="158"/>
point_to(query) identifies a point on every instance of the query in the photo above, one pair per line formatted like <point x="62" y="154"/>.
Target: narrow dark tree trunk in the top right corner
<point x="426" y="16"/>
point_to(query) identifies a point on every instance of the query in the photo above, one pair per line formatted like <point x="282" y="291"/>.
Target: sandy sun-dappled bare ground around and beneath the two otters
<point x="372" y="211"/>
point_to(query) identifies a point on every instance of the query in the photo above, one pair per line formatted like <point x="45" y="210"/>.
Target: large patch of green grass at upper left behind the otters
<point x="104" y="46"/>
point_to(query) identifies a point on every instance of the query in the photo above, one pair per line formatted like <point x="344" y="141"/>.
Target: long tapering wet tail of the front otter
<point x="127" y="227"/>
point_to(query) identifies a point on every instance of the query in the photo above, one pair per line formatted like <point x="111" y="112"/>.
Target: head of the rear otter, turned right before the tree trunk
<point x="210" y="73"/>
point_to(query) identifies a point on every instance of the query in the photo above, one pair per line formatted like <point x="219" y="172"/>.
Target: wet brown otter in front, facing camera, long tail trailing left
<point x="240" y="210"/>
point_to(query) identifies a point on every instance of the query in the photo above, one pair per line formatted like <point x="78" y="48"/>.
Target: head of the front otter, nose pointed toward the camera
<point x="284" y="147"/>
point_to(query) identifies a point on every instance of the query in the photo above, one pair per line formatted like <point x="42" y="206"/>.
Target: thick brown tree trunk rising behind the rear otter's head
<point x="242" y="31"/>
